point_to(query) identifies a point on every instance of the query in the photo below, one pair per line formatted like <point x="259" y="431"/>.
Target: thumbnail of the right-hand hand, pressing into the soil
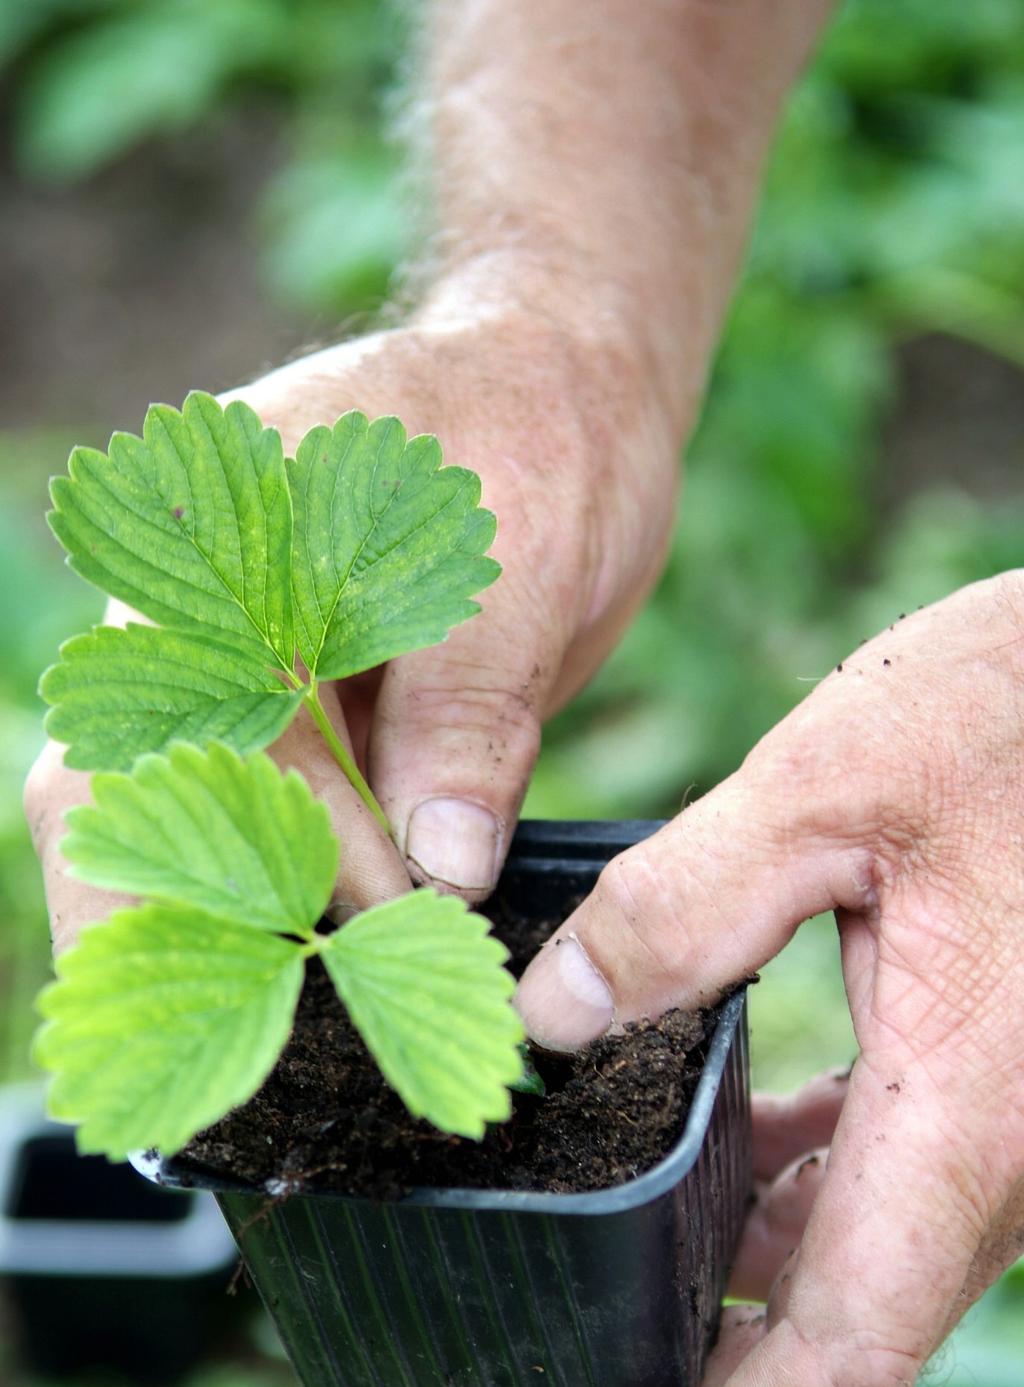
<point x="563" y="998"/>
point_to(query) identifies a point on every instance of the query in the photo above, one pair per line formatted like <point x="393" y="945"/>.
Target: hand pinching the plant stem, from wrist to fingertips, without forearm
<point x="581" y="468"/>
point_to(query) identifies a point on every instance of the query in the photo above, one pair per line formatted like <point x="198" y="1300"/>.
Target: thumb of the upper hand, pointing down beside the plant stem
<point x="454" y="740"/>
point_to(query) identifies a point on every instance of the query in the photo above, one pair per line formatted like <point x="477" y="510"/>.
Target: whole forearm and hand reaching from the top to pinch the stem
<point x="592" y="202"/>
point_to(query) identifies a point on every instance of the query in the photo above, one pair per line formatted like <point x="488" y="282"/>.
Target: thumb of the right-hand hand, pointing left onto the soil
<point x="690" y="912"/>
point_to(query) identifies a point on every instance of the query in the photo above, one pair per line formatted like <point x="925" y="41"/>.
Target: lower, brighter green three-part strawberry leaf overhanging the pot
<point x="171" y="1013"/>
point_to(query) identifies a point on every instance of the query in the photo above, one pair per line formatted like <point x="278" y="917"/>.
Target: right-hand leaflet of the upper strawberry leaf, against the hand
<point x="389" y="546"/>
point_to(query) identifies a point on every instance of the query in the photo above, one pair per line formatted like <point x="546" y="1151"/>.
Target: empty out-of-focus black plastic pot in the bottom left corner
<point x="99" y="1270"/>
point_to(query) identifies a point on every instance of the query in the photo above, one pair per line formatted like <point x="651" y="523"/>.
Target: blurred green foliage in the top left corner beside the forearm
<point x="98" y="80"/>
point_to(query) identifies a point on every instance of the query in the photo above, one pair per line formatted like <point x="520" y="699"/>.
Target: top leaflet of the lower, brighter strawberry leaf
<point x="205" y="829"/>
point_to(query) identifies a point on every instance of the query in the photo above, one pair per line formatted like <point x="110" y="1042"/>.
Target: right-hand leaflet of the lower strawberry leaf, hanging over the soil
<point x="424" y="983"/>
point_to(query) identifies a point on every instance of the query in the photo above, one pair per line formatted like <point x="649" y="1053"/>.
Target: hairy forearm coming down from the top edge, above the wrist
<point x="599" y="160"/>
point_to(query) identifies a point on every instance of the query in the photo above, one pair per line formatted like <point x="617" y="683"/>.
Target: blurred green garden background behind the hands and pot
<point x="195" y="189"/>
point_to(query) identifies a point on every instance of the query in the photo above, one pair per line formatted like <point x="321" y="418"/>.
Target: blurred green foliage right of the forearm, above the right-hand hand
<point x="891" y="210"/>
